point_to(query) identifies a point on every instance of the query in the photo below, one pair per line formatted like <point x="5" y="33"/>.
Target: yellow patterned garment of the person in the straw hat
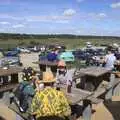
<point x="50" y="102"/>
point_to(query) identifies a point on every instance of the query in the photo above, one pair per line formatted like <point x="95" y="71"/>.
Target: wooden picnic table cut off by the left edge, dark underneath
<point x="9" y="78"/>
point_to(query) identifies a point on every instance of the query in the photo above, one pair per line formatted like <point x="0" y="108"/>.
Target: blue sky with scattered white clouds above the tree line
<point x="79" y="17"/>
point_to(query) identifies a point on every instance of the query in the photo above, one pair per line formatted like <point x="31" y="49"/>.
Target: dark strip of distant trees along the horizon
<point x="8" y="36"/>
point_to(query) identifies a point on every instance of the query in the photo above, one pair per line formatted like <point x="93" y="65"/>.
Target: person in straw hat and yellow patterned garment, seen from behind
<point x="49" y="103"/>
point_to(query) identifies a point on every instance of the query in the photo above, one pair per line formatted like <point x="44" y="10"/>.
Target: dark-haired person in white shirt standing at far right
<point x="110" y="60"/>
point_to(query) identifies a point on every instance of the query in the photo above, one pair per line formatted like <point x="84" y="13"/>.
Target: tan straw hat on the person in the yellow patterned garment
<point x="48" y="77"/>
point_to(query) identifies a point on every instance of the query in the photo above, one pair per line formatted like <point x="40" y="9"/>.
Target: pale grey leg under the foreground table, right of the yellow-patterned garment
<point x="87" y="111"/>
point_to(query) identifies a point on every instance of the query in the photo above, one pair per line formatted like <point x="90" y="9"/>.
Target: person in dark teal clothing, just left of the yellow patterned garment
<point x="23" y="94"/>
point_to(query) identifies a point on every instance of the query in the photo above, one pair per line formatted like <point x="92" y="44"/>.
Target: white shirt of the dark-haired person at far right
<point x="110" y="60"/>
